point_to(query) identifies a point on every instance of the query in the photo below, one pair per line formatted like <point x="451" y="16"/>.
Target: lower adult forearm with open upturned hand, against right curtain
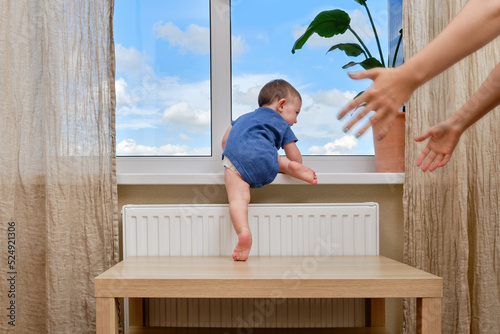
<point x="444" y="136"/>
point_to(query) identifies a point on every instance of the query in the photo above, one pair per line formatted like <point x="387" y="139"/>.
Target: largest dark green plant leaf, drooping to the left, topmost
<point x="326" y="24"/>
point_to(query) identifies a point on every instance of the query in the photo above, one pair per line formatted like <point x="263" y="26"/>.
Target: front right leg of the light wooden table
<point x="428" y="315"/>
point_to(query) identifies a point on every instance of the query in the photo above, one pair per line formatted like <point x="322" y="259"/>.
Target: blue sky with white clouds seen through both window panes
<point x="163" y="68"/>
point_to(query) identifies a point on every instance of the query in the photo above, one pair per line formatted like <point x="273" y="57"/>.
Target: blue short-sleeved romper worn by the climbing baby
<point x="253" y="143"/>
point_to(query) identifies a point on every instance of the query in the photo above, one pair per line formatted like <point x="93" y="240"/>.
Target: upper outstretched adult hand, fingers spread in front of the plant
<point x="390" y="90"/>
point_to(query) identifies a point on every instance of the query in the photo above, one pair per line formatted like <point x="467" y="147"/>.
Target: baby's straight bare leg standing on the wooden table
<point x="238" y="194"/>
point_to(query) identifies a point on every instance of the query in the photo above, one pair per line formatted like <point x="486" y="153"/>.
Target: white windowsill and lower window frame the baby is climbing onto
<point x="199" y="171"/>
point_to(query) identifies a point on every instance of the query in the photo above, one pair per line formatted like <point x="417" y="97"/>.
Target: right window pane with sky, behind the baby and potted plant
<point x="263" y="34"/>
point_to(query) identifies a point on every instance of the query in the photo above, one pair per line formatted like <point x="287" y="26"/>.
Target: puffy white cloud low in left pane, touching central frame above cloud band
<point x="182" y="114"/>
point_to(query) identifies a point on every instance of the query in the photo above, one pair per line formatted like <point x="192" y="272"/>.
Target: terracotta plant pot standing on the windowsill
<point x="390" y="151"/>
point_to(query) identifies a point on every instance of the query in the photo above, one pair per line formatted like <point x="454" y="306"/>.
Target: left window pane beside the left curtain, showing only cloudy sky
<point x="162" y="77"/>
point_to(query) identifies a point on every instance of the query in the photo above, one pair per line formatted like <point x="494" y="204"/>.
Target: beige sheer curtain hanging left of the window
<point x="58" y="215"/>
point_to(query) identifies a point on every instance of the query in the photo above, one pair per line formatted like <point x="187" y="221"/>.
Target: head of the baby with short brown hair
<point x="282" y="97"/>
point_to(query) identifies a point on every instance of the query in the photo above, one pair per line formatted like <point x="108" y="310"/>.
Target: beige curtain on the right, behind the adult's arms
<point x="452" y="225"/>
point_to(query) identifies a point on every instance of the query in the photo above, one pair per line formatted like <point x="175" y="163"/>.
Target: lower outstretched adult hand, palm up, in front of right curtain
<point x="443" y="139"/>
